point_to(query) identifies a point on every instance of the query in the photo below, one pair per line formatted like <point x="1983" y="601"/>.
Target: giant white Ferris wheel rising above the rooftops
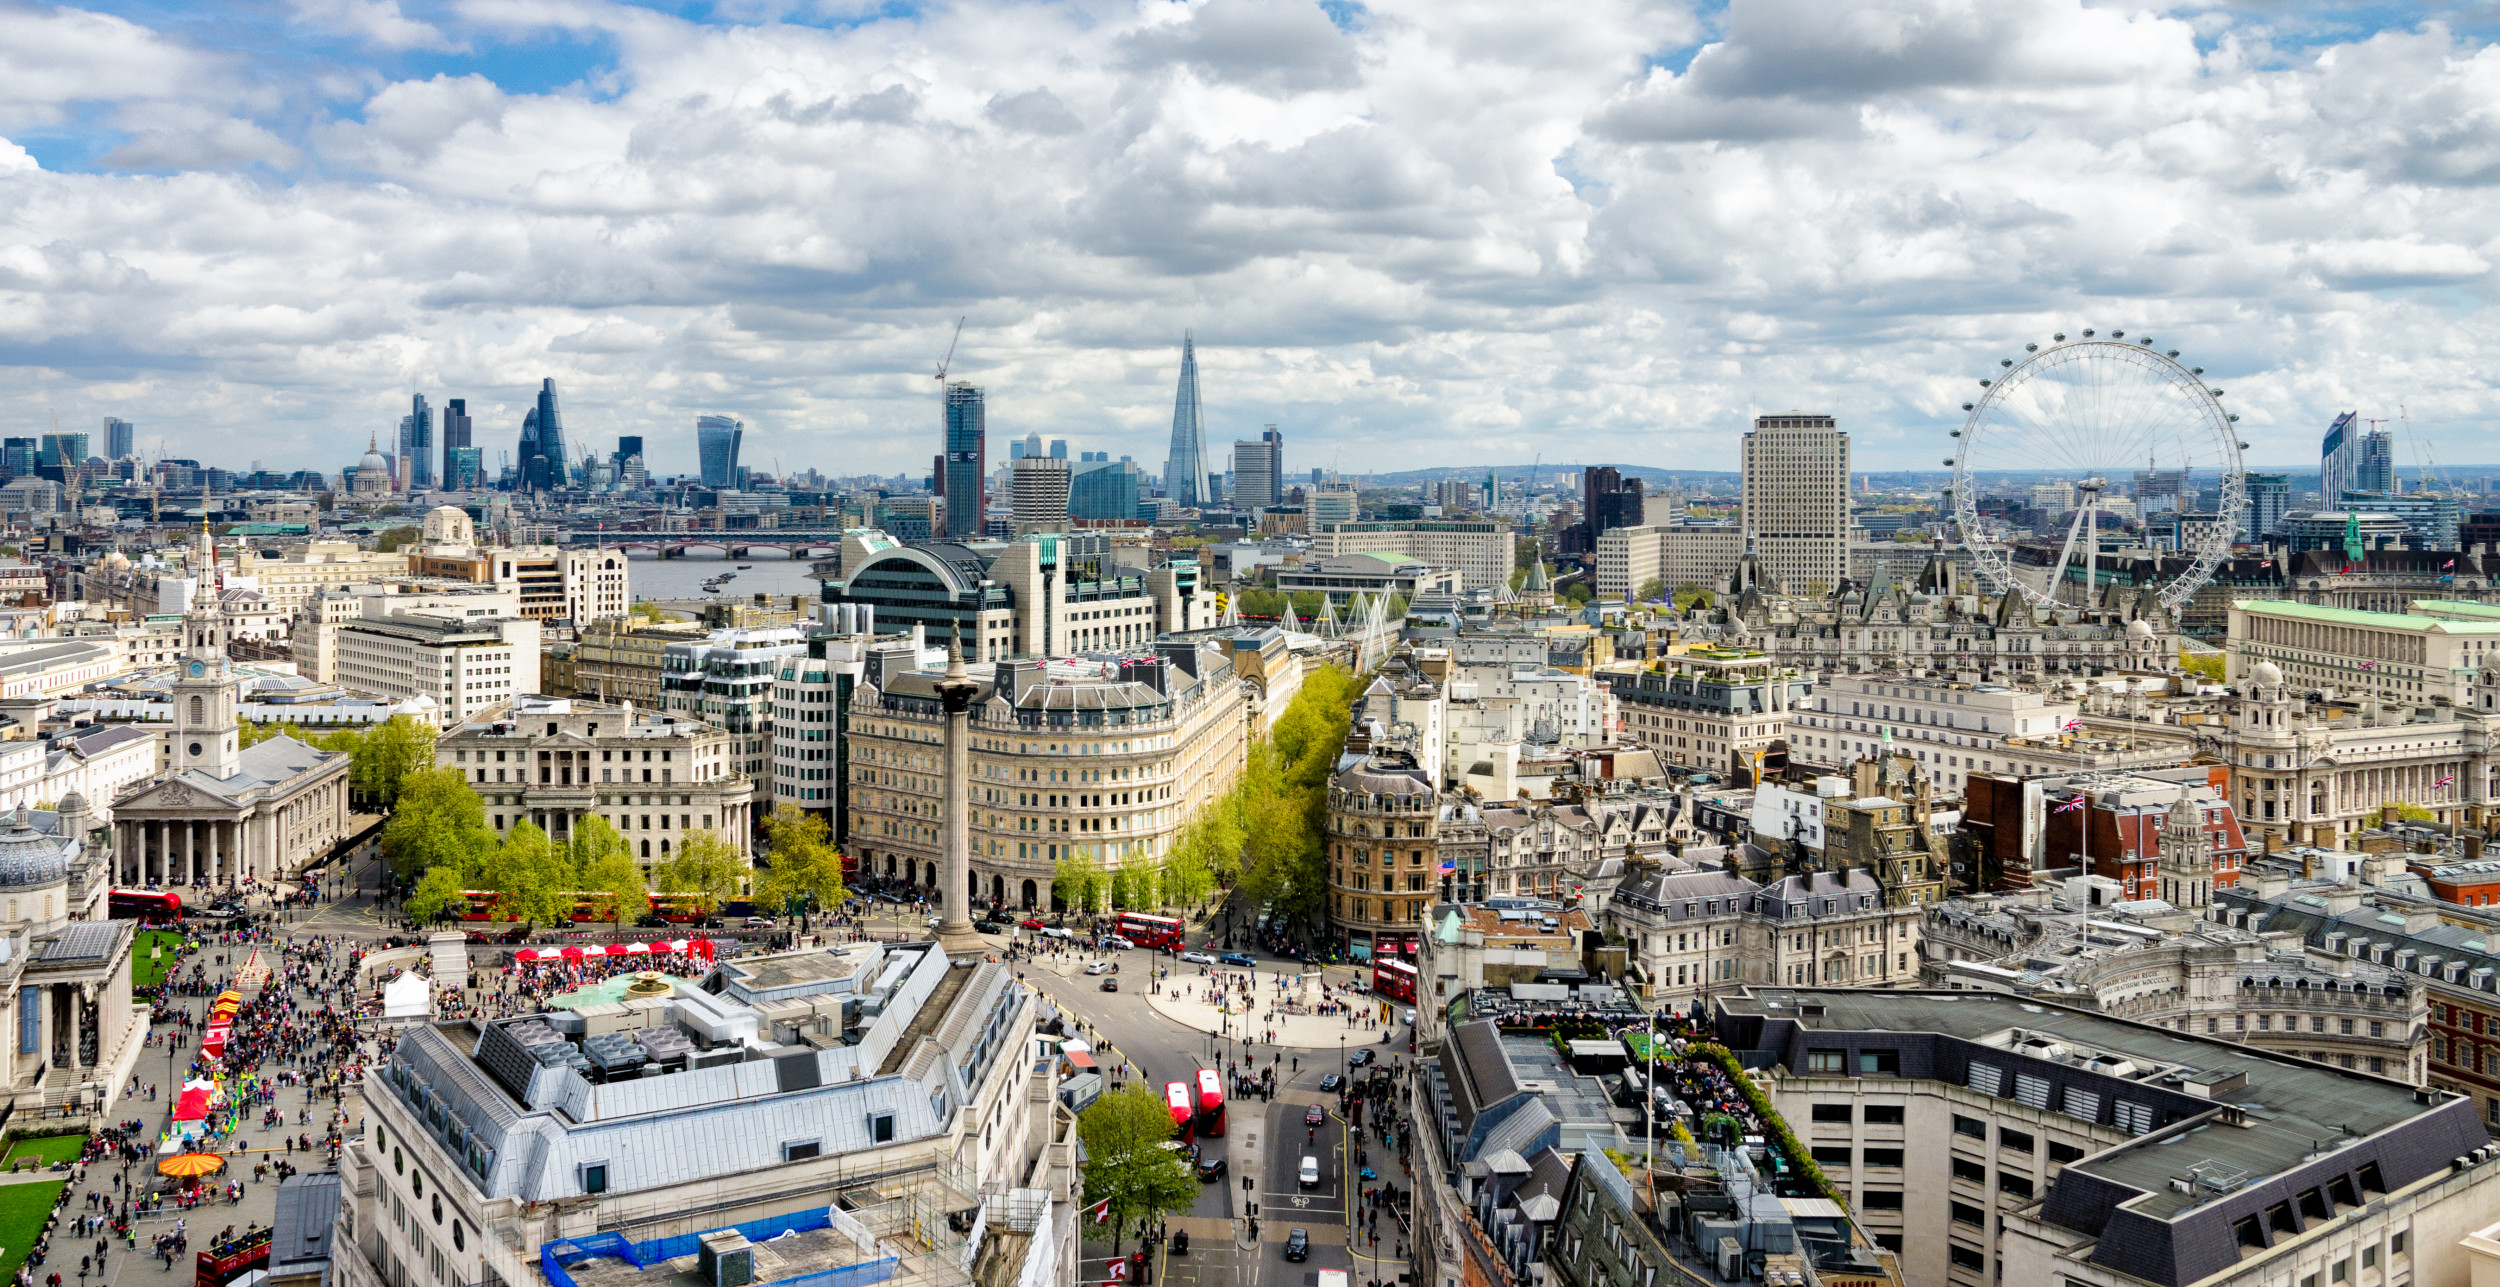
<point x="2099" y="414"/>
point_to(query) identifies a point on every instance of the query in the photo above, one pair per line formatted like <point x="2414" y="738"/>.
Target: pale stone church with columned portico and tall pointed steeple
<point x="224" y="813"/>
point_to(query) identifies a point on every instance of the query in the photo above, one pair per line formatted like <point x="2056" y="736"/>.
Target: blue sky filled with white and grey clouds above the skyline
<point x="1406" y="231"/>
